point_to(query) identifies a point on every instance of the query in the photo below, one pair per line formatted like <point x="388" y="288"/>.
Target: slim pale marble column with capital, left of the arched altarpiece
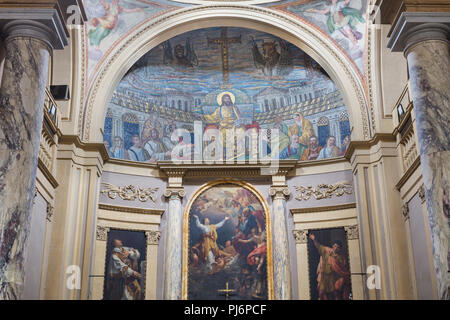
<point x="174" y="240"/>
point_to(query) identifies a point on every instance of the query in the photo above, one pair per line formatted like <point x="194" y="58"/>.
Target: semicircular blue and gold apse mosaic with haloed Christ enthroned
<point x="224" y="80"/>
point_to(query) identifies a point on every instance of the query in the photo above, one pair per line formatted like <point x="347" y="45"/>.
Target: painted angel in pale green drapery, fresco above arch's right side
<point x="343" y="18"/>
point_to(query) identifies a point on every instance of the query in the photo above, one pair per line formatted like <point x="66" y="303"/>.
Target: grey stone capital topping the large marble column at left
<point x="44" y="24"/>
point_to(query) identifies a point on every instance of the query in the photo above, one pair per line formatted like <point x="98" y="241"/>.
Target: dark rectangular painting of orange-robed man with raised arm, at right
<point x="329" y="267"/>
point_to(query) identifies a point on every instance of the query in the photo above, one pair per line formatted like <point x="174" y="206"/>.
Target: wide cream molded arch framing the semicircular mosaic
<point x="154" y="32"/>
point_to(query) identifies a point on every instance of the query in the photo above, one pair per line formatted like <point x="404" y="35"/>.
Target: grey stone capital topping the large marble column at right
<point x="415" y="27"/>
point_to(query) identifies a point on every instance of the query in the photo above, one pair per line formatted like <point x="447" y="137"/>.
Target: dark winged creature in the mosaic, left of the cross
<point x="183" y="56"/>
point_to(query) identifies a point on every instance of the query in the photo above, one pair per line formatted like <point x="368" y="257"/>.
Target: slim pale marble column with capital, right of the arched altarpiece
<point x="281" y="261"/>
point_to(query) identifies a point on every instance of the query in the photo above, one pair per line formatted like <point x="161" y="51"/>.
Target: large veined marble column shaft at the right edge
<point x="429" y="70"/>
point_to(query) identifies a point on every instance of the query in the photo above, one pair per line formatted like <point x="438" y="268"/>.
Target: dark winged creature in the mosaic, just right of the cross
<point x="272" y="62"/>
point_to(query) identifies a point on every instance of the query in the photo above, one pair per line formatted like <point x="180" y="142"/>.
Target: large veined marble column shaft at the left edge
<point x="22" y="95"/>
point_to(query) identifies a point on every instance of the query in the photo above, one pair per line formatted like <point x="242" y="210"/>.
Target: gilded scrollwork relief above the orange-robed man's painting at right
<point x="323" y="191"/>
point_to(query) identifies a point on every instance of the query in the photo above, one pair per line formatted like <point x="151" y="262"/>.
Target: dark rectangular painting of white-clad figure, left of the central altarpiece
<point x="125" y="265"/>
